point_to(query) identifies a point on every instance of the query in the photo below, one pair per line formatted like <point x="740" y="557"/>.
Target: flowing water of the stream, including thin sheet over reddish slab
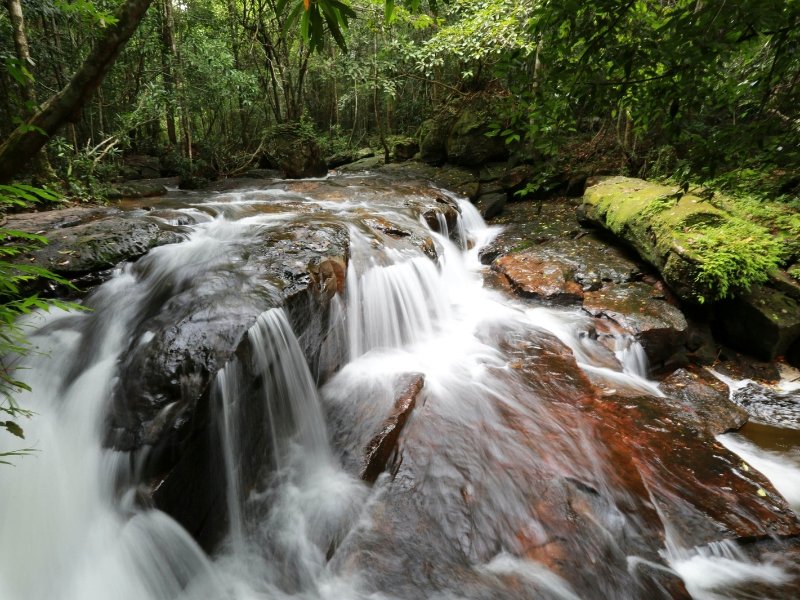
<point x="502" y="484"/>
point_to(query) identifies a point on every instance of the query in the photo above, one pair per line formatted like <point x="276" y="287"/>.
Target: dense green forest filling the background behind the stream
<point x="698" y="89"/>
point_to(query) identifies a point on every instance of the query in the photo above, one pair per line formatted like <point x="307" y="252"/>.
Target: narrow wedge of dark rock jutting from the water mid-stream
<point x="383" y="445"/>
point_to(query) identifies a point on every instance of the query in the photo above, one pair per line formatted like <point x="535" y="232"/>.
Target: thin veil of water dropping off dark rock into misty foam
<point x="284" y="528"/>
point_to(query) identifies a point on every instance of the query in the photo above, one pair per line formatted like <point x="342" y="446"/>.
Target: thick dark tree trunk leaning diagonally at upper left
<point x="28" y="138"/>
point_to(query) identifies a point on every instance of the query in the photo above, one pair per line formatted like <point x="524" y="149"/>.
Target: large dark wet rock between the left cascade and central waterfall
<point x="195" y="323"/>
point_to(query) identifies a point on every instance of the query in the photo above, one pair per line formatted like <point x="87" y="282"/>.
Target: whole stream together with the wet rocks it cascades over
<point x="516" y="451"/>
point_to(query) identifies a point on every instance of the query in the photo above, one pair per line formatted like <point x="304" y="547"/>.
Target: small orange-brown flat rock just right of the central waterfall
<point x="533" y="277"/>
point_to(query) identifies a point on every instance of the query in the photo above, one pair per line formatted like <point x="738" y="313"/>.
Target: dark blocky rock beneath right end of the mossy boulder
<point x="764" y="322"/>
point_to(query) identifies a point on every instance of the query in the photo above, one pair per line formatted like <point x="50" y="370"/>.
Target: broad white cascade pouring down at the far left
<point x="65" y="532"/>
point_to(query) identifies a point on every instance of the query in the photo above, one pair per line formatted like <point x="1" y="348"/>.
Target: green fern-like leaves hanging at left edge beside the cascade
<point x="16" y="301"/>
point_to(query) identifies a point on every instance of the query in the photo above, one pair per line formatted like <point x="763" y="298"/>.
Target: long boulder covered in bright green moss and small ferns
<point x="703" y="251"/>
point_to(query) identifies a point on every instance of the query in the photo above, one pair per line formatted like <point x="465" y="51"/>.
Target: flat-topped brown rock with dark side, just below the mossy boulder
<point x="657" y="325"/>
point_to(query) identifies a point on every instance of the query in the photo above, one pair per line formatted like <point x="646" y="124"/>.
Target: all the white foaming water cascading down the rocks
<point x="66" y="534"/>
